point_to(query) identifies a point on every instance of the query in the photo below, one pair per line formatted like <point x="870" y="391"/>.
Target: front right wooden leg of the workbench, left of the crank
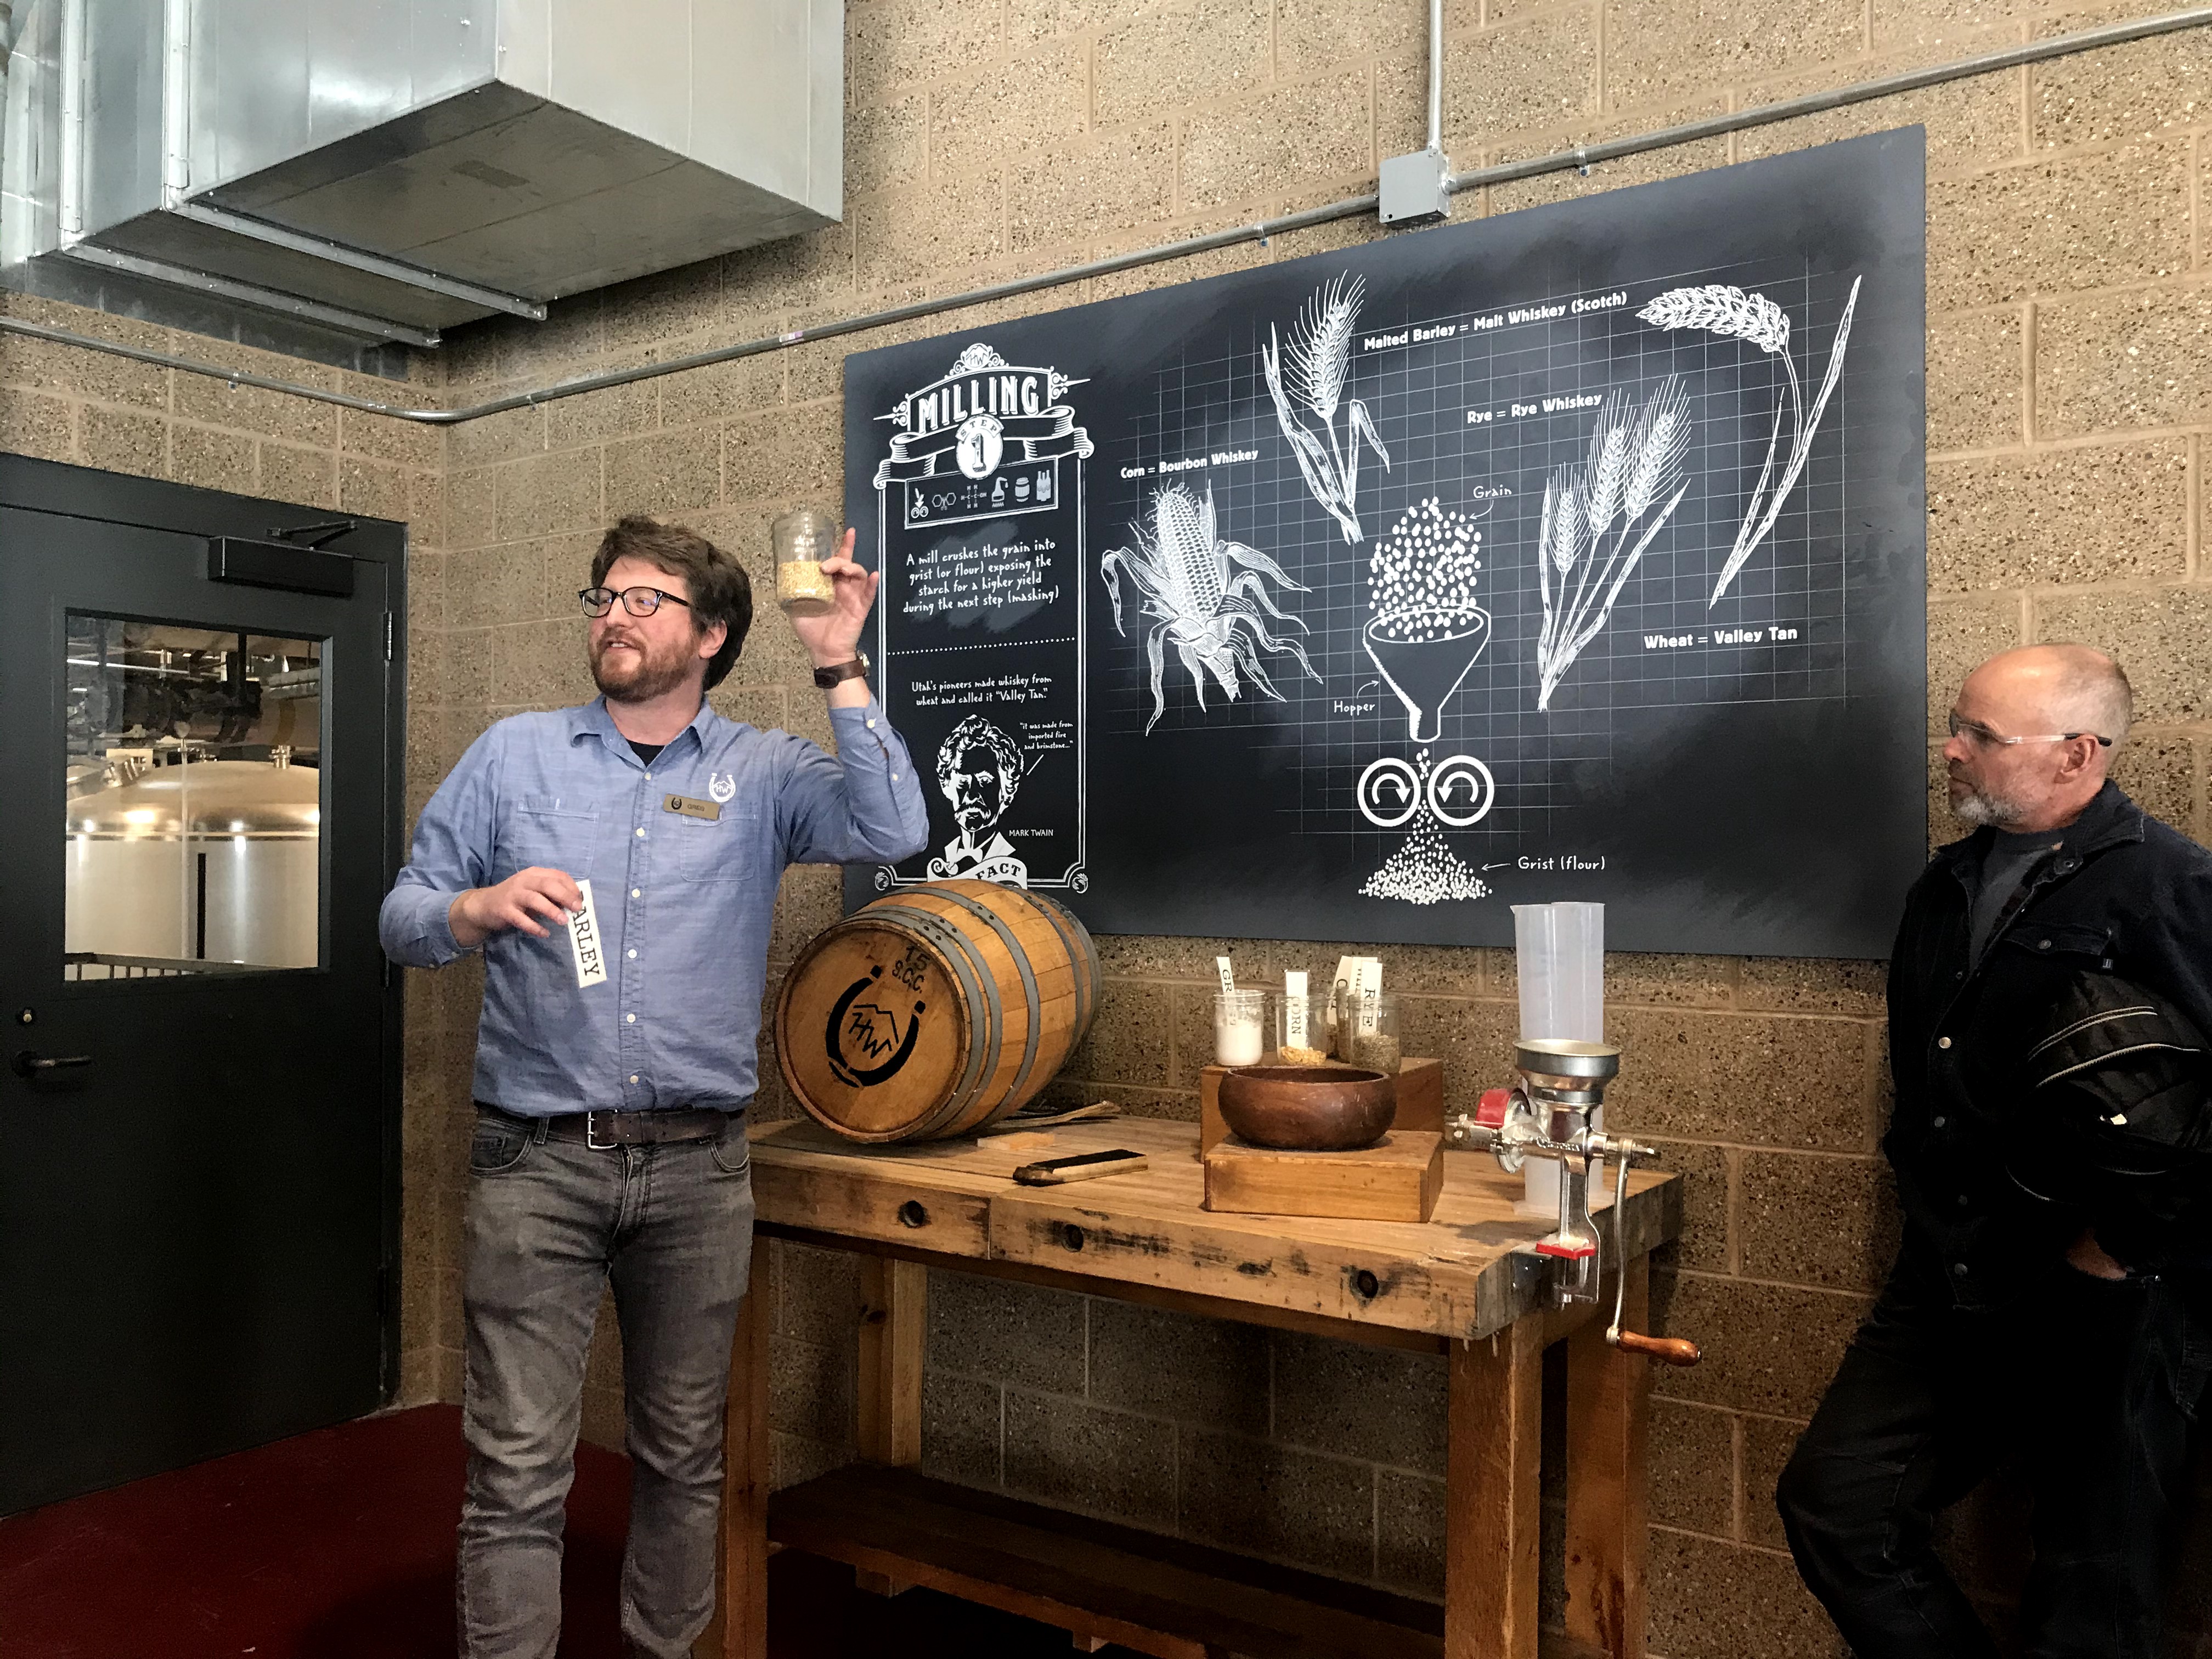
<point x="1492" y="1512"/>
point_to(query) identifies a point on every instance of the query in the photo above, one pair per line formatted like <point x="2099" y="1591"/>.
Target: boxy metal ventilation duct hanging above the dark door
<point x="397" y="167"/>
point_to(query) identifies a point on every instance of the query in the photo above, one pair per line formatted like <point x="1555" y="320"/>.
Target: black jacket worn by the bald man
<point x="2125" y="897"/>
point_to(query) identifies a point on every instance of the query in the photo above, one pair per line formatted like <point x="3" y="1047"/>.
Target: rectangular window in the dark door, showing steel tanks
<point x="194" y="802"/>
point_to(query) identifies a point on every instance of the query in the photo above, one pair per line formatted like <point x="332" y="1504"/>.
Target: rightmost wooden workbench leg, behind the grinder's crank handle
<point x="1607" y="1470"/>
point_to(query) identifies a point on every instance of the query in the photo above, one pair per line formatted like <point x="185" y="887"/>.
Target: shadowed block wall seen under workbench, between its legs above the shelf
<point x="1317" y="1454"/>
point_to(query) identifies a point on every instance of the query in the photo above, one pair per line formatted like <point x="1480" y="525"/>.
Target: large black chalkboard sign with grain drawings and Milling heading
<point x="1569" y="554"/>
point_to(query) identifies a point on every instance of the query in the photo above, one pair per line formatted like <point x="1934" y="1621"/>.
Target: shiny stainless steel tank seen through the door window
<point x="213" y="862"/>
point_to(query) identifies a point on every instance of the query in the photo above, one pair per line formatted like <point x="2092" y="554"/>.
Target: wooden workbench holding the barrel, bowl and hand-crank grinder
<point x="1454" y="1286"/>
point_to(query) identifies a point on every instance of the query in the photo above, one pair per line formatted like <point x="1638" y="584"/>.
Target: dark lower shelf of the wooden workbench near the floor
<point x="1096" y="1580"/>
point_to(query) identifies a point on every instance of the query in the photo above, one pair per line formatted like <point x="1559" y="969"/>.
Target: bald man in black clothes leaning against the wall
<point x="2049" y="1001"/>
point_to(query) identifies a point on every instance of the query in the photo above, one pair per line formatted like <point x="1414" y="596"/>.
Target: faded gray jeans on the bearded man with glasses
<point x="550" y="1227"/>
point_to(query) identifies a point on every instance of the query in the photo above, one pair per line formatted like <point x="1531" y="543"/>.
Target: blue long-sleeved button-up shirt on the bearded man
<point x="685" y="904"/>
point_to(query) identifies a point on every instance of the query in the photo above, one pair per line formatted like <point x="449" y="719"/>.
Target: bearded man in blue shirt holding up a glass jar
<point x="618" y="866"/>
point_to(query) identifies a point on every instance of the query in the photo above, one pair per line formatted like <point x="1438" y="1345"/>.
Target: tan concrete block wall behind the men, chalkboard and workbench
<point x="2069" y="404"/>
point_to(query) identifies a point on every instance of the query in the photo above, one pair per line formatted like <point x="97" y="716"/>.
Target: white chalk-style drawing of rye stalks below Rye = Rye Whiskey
<point x="1589" y="539"/>
